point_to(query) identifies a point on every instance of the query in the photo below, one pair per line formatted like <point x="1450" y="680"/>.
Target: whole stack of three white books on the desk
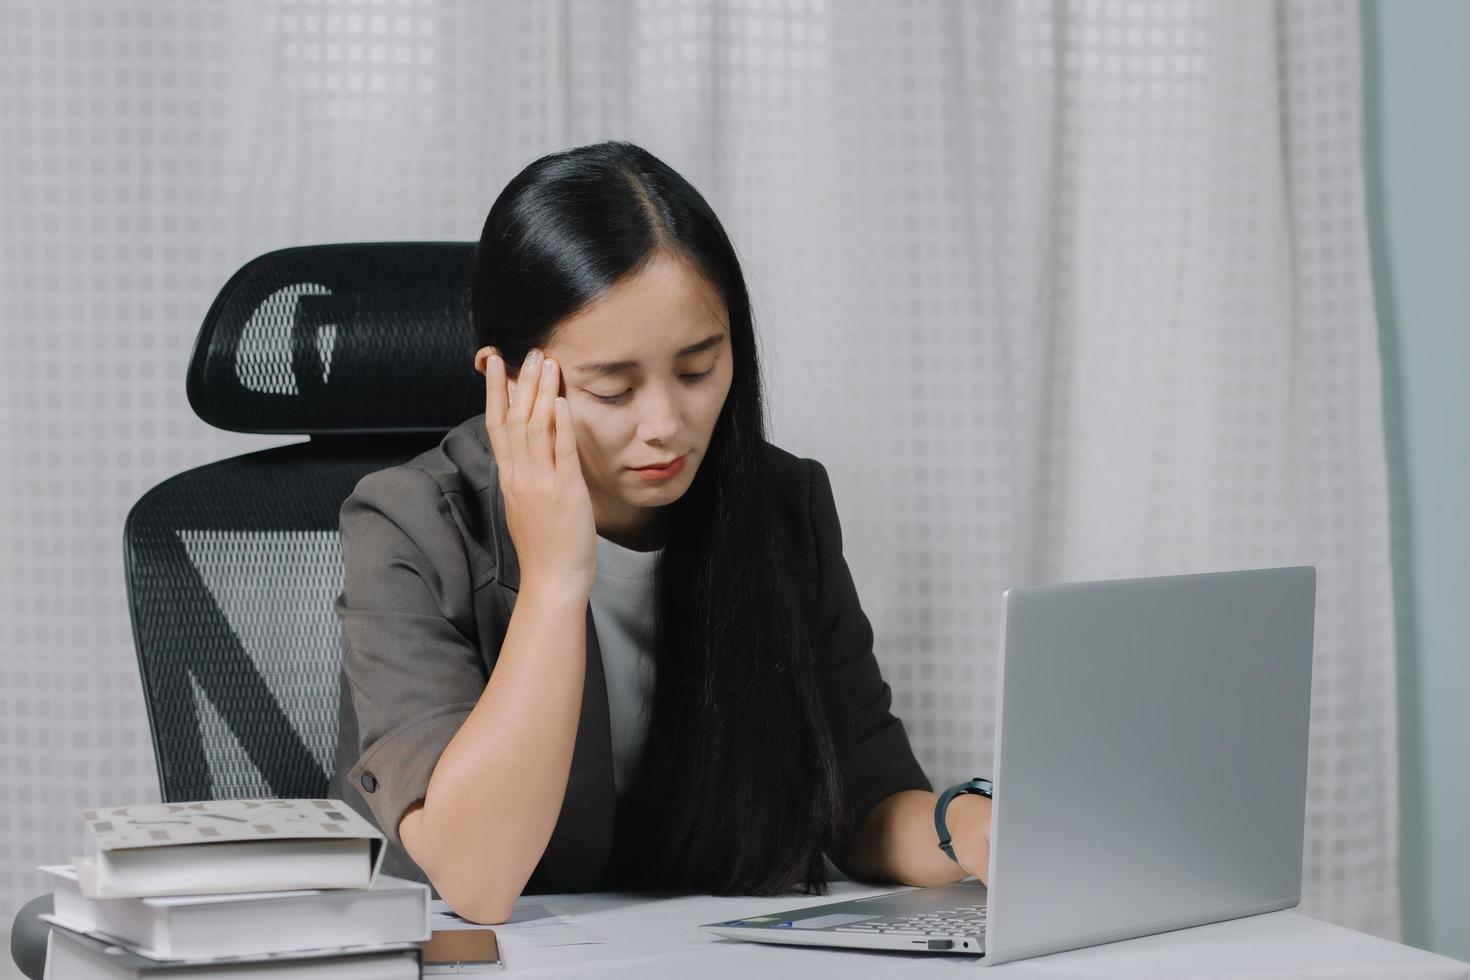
<point x="249" y="890"/>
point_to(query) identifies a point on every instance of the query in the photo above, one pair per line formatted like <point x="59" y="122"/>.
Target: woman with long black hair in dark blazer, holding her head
<point x="603" y="635"/>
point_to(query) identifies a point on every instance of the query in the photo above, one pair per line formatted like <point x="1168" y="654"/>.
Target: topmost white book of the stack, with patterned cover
<point x="218" y="847"/>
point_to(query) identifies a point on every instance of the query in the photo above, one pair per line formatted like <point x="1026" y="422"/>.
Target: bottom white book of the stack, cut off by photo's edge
<point x="74" y="957"/>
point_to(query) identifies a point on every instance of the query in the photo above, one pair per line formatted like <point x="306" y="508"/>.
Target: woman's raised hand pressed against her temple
<point x="549" y="511"/>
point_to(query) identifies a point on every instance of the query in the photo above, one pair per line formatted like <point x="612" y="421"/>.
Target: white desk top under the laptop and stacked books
<point x="649" y="938"/>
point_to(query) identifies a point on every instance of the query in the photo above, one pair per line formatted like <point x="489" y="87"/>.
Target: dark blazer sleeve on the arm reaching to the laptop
<point x="877" y="757"/>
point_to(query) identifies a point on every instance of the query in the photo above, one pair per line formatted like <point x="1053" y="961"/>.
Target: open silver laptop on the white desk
<point x="1150" y="774"/>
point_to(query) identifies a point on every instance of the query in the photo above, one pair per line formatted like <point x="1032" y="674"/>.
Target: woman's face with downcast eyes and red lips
<point x="646" y="371"/>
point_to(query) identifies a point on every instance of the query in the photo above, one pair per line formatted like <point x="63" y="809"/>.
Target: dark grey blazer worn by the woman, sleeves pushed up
<point x="430" y="583"/>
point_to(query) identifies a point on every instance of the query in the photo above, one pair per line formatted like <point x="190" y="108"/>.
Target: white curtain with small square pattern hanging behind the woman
<point x="1056" y="292"/>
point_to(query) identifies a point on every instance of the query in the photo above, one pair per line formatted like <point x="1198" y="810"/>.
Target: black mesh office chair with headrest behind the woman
<point x="233" y="566"/>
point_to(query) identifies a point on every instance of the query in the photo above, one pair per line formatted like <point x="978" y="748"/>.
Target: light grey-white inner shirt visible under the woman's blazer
<point x="623" y="612"/>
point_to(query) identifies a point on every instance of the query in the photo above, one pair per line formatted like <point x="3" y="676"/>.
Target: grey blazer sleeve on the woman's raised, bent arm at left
<point x="411" y="660"/>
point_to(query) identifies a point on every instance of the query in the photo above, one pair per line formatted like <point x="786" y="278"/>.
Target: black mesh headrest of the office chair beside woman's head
<point x="326" y="340"/>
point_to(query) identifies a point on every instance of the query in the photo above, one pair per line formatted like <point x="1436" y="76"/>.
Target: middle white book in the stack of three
<point x="240" y="925"/>
